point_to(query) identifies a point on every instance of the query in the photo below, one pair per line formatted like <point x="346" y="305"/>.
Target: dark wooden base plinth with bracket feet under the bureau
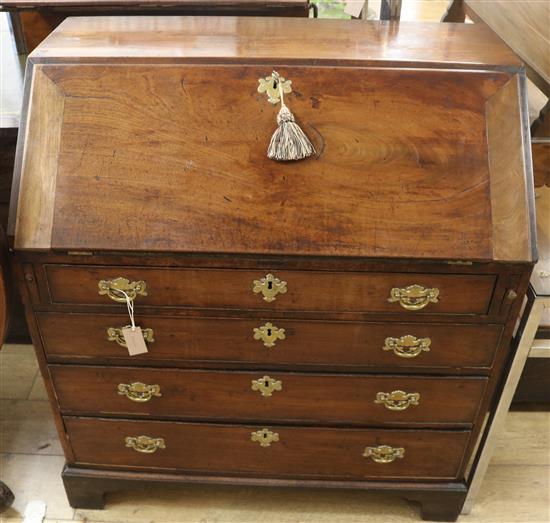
<point x="86" y="488"/>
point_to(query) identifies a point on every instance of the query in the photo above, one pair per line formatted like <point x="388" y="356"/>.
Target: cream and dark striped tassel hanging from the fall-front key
<point x="288" y="142"/>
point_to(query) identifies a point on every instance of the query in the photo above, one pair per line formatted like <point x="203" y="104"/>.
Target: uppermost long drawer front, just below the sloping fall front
<point x="287" y="290"/>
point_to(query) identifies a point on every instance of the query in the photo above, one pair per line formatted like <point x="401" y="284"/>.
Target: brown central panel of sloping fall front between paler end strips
<point x="408" y="180"/>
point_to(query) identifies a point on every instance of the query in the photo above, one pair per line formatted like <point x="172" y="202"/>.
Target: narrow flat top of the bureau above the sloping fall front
<point x="274" y="39"/>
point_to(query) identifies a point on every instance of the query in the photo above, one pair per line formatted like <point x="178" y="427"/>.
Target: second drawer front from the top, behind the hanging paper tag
<point x="84" y="337"/>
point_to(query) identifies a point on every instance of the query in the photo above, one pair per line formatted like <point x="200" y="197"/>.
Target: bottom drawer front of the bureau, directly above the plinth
<point x="300" y="452"/>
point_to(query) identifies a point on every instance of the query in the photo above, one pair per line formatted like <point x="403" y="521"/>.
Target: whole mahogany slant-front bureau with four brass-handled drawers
<point x="341" y="321"/>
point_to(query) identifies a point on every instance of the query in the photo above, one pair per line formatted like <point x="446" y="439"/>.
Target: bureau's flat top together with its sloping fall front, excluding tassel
<point x="148" y="136"/>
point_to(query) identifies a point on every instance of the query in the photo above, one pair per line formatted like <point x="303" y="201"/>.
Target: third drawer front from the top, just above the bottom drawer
<point x="267" y="395"/>
